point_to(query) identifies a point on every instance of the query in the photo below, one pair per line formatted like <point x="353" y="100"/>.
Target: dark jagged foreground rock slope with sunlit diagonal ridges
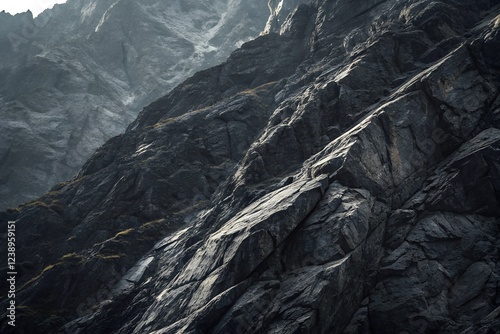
<point x="338" y="175"/>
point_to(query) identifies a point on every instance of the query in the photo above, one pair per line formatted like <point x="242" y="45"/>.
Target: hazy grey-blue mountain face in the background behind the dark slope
<point x="78" y="74"/>
